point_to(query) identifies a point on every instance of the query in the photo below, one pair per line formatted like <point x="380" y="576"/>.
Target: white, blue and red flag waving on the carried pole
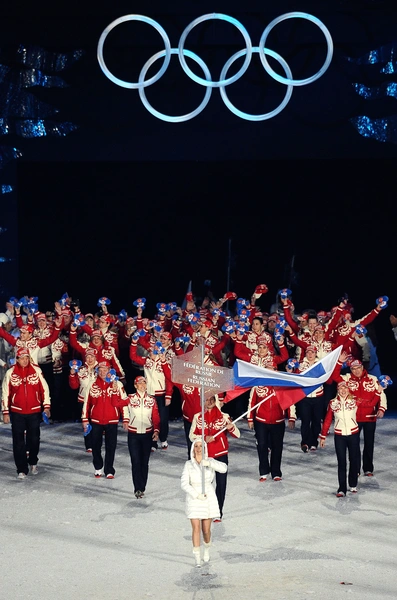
<point x="290" y="387"/>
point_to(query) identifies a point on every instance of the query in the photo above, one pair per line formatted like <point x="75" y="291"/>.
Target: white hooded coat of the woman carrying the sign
<point x="191" y="484"/>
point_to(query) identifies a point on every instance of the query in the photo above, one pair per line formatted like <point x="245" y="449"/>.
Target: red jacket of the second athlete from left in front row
<point x="102" y="404"/>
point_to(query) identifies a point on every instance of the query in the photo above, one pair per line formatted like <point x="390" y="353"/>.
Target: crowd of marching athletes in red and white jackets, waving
<point x="56" y="365"/>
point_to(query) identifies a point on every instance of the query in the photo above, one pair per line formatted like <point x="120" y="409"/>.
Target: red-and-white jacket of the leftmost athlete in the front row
<point x="25" y="390"/>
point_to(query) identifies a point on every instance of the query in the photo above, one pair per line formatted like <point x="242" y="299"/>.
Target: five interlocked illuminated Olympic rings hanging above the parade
<point x="208" y="83"/>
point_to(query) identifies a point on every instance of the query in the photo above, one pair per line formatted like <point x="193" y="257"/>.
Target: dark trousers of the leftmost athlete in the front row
<point x="20" y="444"/>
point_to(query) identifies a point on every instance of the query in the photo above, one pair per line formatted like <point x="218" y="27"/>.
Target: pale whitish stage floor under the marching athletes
<point x="66" y="535"/>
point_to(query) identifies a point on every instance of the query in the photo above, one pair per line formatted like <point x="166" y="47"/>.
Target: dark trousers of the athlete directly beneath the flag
<point x="269" y="436"/>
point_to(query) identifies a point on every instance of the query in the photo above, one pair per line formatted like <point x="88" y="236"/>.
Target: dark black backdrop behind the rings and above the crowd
<point x="131" y="206"/>
